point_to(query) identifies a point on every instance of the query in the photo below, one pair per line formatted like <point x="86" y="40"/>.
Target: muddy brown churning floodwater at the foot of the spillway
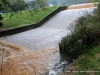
<point x="19" y="61"/>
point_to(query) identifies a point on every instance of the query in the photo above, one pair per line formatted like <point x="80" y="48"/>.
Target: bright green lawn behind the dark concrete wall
<point x="25" y="17"/>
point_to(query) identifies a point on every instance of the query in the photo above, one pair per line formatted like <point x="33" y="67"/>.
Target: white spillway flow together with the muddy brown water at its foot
<point x="45" y="39"/>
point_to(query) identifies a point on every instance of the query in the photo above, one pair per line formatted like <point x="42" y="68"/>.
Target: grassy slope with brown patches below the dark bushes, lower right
<point x="86" y="64"/>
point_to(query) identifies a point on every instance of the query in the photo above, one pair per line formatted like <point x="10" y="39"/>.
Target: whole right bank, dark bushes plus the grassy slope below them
<point x="84" y="44"/>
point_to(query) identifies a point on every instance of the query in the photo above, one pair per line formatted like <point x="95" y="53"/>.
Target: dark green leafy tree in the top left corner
<point x="13" y="5"/>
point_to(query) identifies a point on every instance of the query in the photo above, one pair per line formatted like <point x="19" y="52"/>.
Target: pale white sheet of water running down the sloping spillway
<point x="48" y="35"/>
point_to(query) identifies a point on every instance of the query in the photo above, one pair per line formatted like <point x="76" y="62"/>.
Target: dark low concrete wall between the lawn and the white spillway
<point x="31" y="26"/>
